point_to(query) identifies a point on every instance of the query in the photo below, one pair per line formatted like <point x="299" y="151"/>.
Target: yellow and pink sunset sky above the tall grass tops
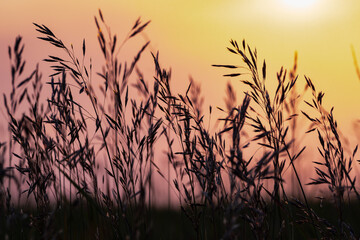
<point x="192" y="35"/>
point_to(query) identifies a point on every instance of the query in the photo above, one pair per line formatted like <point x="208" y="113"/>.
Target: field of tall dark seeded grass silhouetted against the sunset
<point x="82" y="164"/>
